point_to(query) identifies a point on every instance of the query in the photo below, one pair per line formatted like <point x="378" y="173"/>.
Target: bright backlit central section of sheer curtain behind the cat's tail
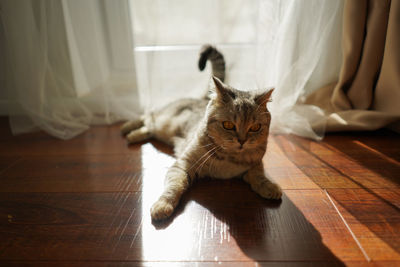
<point x="168" y="37"/>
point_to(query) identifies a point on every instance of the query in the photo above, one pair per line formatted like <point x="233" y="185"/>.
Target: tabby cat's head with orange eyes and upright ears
<point x="238" y="121"/>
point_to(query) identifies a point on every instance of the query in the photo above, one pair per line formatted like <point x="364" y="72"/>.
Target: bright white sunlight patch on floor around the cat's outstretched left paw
<point x="193" y="231"/>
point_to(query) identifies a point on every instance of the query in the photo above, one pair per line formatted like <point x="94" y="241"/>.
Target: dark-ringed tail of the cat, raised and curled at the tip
<point x="209" y="52"/>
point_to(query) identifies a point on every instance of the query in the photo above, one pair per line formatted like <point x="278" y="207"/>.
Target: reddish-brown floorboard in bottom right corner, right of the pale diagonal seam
<point x="374" y="217"/>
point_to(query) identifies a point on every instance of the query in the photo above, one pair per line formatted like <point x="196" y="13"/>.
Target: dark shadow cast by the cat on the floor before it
<point x="263" y="229"/>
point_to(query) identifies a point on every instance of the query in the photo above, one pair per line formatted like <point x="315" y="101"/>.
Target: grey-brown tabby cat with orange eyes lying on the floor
<point x="223" y="135"/>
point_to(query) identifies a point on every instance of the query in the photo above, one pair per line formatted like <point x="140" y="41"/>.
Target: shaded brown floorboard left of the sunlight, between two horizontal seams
<point x="79" y="173"/>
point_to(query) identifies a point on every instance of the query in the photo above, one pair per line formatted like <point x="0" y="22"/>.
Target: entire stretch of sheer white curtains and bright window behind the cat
<point x="72" y="63"/>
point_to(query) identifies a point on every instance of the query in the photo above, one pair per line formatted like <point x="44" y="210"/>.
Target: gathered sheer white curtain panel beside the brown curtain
<point x="298" y="51"/>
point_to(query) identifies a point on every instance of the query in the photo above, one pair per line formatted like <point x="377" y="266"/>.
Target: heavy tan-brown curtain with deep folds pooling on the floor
<point x="367" y="94"/>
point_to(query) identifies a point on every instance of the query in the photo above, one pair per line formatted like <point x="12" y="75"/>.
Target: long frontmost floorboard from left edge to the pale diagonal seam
<point x="106" y="226"/>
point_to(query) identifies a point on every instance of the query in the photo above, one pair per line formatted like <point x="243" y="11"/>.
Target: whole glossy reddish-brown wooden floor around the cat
<point x="85" y="202"/>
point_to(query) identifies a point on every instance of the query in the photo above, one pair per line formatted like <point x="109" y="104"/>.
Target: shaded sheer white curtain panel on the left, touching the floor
<point x="69" y="64"/>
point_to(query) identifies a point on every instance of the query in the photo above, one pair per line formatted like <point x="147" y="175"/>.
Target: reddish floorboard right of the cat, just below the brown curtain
<point x="330" y="167"/>
